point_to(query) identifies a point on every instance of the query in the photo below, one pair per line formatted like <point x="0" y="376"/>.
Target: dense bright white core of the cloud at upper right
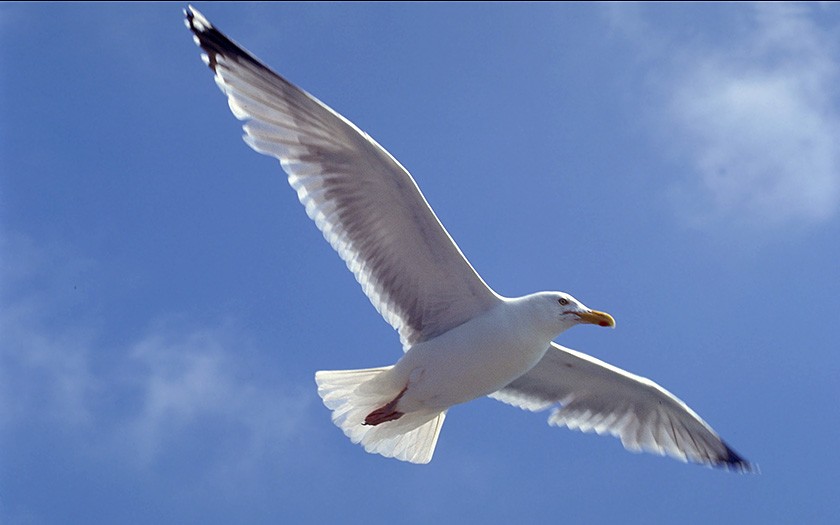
<point x="762" y="148"/>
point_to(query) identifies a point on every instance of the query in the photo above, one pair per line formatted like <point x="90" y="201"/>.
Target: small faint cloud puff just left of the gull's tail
<point x="186" y="378"/>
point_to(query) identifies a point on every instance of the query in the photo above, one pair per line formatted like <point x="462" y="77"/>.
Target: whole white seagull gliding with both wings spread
<point x="461" y="340"/>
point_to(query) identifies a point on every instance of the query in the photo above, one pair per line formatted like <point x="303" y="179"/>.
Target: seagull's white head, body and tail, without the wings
<point x="477" y="358"/>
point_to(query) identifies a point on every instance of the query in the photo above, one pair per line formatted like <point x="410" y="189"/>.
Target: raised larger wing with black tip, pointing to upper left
<point x="364" y="202"/>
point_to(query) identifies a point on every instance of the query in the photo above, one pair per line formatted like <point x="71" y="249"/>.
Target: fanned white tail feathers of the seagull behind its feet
<point x="353" y="394"/>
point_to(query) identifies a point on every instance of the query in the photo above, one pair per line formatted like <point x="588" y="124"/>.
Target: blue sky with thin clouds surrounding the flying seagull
<point x="165" y="301"/>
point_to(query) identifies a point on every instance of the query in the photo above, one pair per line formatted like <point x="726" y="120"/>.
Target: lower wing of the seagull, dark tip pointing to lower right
<point x="590" y="395"/>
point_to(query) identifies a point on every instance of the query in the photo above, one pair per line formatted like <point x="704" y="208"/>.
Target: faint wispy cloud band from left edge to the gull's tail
<point x="137" y="401"/>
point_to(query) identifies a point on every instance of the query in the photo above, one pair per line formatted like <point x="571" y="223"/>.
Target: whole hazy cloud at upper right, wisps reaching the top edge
<point x="754" y="117"/>
